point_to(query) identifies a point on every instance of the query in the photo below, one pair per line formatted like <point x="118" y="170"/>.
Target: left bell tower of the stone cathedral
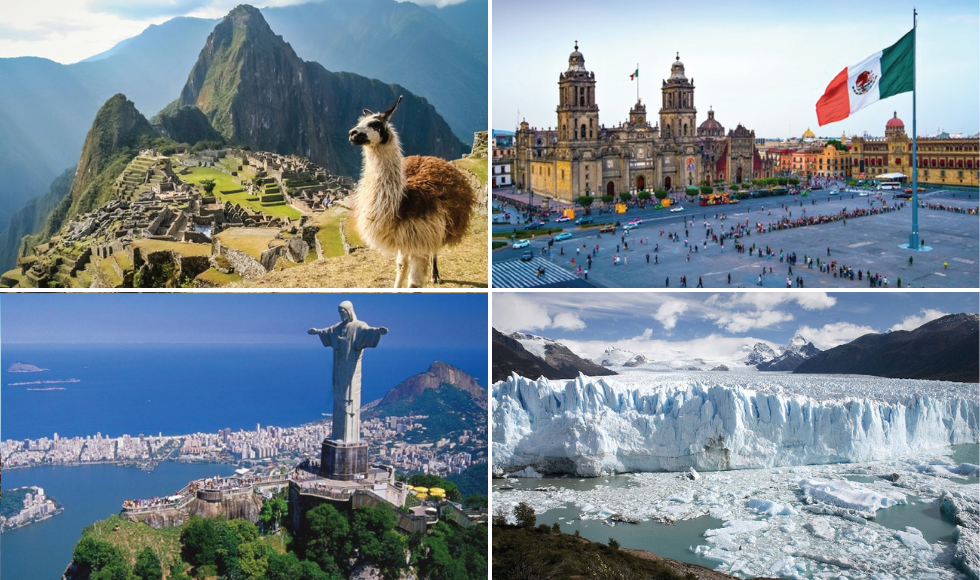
<point x="578" y="115"/>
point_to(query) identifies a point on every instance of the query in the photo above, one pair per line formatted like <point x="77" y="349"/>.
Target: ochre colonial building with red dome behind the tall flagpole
<point x="941" y="161"/>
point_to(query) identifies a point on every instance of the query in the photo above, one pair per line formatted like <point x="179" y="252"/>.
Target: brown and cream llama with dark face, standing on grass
<point x="410" y="207"/>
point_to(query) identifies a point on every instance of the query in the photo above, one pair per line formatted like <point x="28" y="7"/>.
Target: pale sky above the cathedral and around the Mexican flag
<point x="763" y="63"/>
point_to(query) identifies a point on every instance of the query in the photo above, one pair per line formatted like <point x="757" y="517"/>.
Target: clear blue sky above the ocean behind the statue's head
<point x="438" y="320"/>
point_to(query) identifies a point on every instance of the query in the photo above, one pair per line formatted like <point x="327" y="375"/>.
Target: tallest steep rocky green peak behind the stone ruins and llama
<point x="256" y="91"/>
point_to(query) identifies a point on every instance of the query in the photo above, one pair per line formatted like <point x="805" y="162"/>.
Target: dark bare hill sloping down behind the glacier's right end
<point x="944" y="349"/>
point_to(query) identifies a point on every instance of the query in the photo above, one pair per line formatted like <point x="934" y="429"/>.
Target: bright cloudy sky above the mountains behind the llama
<point x="68" y="31"/>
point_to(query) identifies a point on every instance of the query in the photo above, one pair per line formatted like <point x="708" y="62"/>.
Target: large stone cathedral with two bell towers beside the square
<point x="582" y="157"/>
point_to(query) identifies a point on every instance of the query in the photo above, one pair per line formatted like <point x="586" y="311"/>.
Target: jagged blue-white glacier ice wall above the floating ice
<point x="672" y="422"/>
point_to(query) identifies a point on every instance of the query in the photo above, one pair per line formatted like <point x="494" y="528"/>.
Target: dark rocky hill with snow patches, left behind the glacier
<point x="552" y="360"/>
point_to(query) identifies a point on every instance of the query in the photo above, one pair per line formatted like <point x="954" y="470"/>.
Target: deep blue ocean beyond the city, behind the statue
<point x="179" y="389"/>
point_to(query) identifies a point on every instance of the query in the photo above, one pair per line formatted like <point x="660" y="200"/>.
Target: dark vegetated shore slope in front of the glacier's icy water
<point x="523" y="551"/>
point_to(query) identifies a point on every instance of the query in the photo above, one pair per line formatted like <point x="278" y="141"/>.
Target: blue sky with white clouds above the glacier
<point x="716" y="325"/>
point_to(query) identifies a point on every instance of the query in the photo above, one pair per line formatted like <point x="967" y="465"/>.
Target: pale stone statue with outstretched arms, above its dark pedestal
<point x="348" y="338"/>
